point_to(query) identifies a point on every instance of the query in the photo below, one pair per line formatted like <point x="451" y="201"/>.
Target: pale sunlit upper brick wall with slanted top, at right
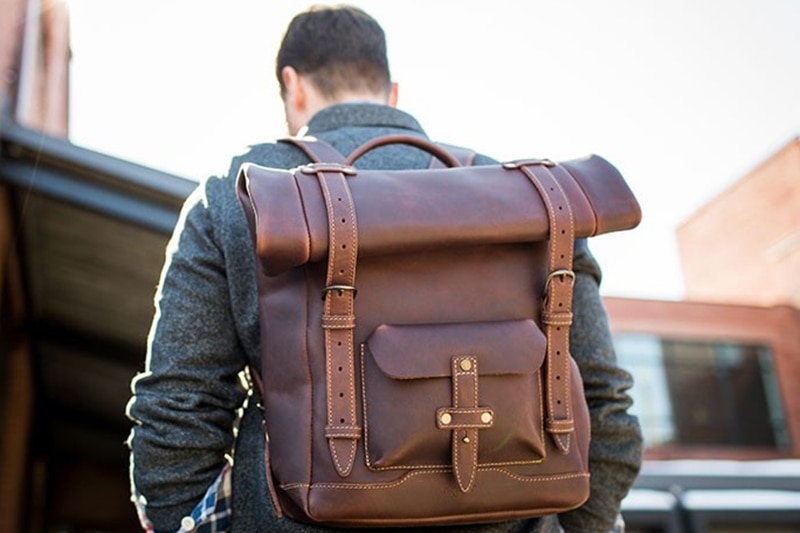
<point x="744" y="245"/>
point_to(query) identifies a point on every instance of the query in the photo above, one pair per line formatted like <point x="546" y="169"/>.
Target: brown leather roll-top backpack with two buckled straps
<point x="415" y="334"/>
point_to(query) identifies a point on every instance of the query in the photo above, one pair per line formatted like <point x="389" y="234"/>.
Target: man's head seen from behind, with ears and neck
<point x="332" y="54"/>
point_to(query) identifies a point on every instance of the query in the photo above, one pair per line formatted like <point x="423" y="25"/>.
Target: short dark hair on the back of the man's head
<point x="340" y="48"/>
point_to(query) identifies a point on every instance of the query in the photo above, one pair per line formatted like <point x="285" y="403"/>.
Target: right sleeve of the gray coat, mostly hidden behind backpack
<point x="615" y="451"/>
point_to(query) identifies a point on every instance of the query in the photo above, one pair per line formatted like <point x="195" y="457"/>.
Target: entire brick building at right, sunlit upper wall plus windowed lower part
<point x="715" y="373"/>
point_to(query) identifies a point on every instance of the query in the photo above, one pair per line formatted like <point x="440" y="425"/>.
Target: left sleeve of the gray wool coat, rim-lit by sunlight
<point x="184" y="403"/>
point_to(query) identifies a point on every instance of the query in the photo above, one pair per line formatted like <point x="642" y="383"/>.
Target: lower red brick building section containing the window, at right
<point x="713" y="380"/>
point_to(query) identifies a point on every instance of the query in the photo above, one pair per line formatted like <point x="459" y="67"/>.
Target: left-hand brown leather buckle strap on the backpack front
<point x="338" y="319"/>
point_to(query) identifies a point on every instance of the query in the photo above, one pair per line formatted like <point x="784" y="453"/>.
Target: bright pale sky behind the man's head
<point x="684" y="97"/>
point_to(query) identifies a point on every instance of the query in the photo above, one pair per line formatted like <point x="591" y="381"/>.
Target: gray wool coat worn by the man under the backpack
<point x="205" y="331"/>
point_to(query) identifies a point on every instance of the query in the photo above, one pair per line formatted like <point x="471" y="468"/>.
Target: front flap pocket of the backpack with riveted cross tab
<point x="410" y="378"/>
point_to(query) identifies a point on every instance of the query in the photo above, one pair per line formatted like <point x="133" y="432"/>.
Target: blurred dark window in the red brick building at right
<point x="703" y="393"/>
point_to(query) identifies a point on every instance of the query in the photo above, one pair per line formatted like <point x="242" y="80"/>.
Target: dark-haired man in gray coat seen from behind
<point x="335" y="85"/>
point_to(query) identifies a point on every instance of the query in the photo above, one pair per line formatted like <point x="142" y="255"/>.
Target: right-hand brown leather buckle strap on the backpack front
<point x="557" y="309"/>
